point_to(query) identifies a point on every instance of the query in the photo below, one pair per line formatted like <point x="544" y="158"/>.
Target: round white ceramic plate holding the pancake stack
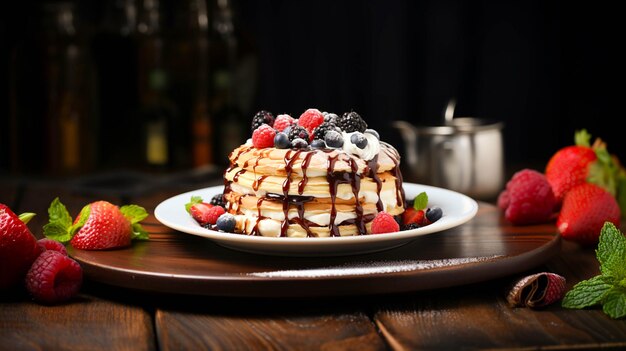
<point x="457" y="209"/>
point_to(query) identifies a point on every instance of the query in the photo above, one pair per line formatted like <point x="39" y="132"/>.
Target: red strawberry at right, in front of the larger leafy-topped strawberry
<point x="586" y="208"/>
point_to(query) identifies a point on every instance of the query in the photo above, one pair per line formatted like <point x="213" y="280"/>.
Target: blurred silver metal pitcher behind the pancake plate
<point x="464" y="154"/>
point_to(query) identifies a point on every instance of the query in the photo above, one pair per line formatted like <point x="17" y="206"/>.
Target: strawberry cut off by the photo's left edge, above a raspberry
<point x="18" y="247"/>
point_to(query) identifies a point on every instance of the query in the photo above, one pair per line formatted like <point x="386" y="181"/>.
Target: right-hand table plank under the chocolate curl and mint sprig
<point x="477" y="316"/>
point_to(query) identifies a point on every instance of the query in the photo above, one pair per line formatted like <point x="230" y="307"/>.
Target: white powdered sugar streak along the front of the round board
<point x="366" y="268"/>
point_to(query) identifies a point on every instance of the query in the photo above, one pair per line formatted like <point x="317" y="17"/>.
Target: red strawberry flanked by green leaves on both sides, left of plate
<point x="100" y="225"/>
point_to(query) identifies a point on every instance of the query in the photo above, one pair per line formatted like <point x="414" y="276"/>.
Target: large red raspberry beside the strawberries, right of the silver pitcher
<point x="530" y="198"/>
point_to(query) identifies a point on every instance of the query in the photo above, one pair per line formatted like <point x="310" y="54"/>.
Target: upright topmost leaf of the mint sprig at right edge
<point x="611" y="251"/>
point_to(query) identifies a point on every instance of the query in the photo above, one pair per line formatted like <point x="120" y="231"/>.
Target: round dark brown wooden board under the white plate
<point x="484" y="248"/>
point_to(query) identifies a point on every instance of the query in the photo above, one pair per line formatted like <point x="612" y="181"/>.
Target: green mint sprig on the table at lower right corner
<point x="609" y="288"/>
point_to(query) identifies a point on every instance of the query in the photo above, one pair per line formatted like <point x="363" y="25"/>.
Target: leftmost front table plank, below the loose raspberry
<point x="85" y="323"/>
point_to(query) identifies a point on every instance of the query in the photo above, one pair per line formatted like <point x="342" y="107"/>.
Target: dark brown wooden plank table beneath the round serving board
<point x="104" y="317"/>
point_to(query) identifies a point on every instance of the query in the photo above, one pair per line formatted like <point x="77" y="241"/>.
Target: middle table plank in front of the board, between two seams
<point x="277" y="330"/>
